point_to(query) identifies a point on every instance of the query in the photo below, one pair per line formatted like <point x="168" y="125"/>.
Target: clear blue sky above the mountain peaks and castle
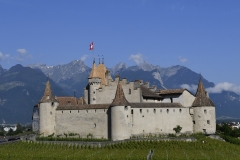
<point x="201" y="35"/>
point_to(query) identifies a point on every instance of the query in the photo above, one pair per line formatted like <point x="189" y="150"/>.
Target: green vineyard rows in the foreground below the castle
<point x="210" y="149"/>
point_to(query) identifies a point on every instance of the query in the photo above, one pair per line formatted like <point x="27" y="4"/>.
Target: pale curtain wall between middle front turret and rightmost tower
<point x="160" y="121"/>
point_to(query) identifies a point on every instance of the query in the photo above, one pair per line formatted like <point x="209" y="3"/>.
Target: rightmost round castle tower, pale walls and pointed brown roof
<point x="204" y="117"/>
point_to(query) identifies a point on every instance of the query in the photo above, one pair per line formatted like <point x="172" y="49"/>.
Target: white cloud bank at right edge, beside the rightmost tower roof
<point x="225" y="86"/>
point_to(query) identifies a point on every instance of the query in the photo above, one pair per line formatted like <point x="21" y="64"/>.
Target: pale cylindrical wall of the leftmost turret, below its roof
<point x="47" y="113"/>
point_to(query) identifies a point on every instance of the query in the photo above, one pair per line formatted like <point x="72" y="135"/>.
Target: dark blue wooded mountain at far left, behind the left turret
<point x="20" y="89"/>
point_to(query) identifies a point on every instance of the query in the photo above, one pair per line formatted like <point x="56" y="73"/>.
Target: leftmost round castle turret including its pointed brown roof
<point x="47" y="110"/>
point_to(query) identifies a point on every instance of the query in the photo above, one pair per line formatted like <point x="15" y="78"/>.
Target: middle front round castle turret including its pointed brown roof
<point x="120" y="116"/>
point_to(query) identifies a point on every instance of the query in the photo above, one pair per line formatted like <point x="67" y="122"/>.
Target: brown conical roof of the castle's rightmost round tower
<point x="201" y="97"/>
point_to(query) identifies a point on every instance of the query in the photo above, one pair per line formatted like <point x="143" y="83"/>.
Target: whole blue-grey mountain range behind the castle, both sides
<point x="22" y="87"/>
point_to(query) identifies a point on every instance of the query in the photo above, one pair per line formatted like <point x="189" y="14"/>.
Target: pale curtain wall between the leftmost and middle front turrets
<point x="83" y="122"/>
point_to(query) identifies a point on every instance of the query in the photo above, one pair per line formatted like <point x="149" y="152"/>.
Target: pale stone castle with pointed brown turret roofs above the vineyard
<point x="118" y="109"/>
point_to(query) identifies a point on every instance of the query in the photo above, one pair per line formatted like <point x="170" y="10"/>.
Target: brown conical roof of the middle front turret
<point x="120" y="99"/>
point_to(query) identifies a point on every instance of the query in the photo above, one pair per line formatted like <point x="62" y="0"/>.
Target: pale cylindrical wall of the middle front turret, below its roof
<point x="120" y="123"/>
